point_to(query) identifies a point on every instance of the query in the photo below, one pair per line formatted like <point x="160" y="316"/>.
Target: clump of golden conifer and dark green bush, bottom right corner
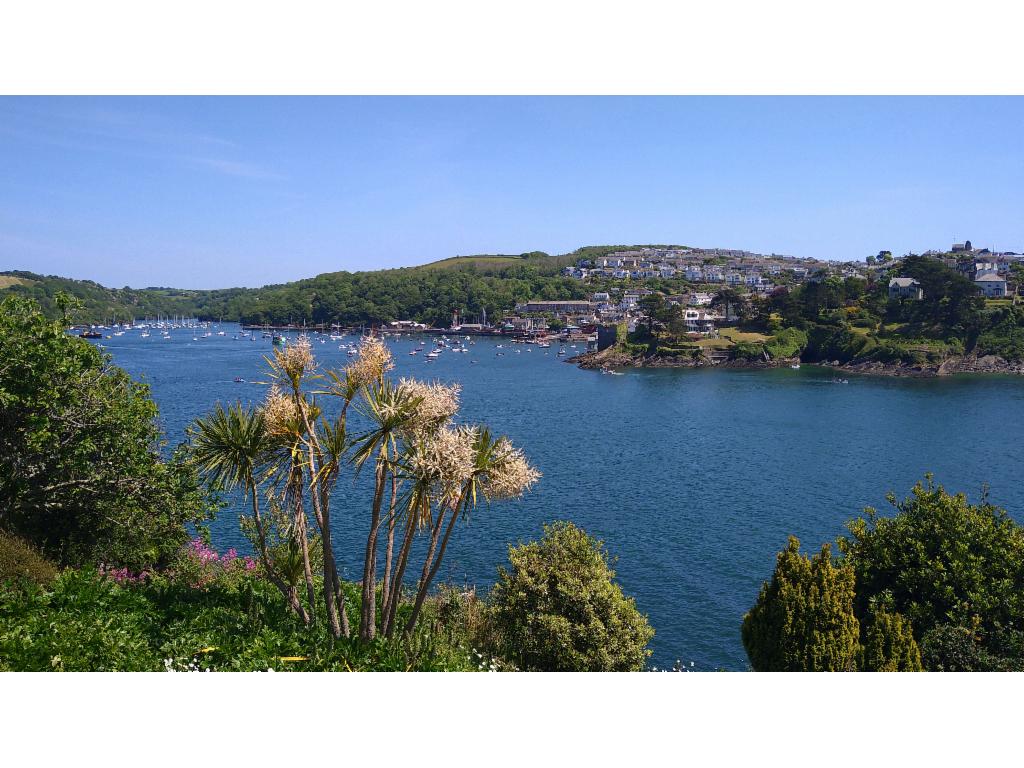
<point x="936" y="587"/>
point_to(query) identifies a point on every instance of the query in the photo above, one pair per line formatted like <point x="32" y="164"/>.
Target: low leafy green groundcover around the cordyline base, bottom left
<point x="88" y="623"/>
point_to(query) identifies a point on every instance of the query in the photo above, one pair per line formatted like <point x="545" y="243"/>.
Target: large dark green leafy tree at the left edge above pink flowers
<point x="81" y="474"/>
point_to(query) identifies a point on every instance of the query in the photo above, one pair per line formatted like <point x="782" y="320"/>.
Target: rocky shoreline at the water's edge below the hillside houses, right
<point x="613" y="359"/>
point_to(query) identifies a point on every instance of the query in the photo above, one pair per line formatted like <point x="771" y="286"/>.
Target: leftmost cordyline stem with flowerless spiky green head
<point x="231" y="448"/>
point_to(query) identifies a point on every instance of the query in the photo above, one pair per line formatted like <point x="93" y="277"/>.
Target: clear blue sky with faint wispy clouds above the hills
<point x="206" y="193"/>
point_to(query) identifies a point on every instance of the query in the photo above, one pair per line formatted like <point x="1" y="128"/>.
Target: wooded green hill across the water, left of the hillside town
<point x="431" y="293"/>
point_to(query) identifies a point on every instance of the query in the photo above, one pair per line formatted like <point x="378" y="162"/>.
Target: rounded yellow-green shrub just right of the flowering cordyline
<point x="561" y="610"/>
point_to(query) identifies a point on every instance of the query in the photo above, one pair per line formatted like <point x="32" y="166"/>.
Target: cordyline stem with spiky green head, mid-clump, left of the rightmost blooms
<point x="390" y="409"/>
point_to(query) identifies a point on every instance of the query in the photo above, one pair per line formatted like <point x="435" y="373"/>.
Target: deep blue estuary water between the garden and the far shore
<point x="693" y="479"/>
